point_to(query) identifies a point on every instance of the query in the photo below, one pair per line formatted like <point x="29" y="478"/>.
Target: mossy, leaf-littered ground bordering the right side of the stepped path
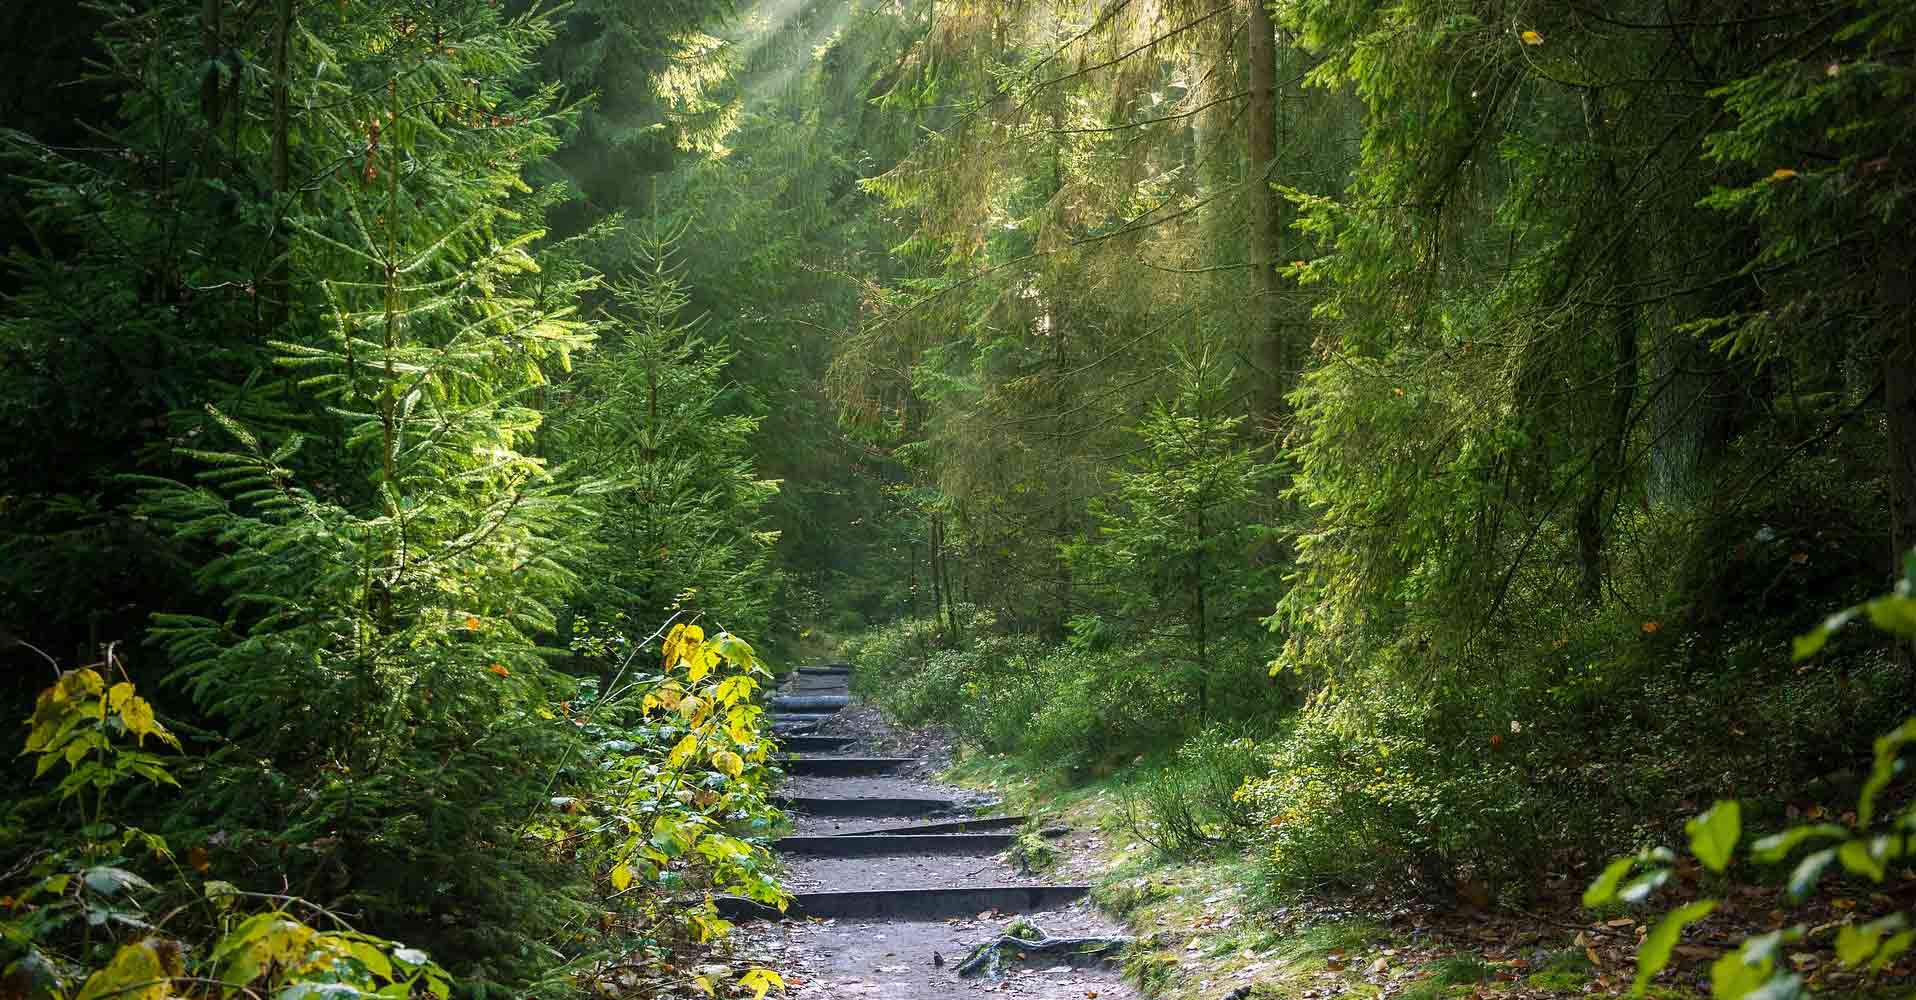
<point x="1206" y="930"/>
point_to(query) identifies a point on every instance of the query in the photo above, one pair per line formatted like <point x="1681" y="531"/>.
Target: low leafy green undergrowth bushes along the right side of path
<point x="1472" y="798"/>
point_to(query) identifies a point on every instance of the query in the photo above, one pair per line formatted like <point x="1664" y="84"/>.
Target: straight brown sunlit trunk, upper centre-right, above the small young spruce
<point x="1267" y="221"/>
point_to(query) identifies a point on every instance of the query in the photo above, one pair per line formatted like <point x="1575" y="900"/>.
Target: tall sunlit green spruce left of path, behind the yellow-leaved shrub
<point x="390" y="576"/>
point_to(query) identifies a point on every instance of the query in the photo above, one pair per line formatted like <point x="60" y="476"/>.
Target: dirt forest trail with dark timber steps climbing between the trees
<point x="898" y="878"/>
